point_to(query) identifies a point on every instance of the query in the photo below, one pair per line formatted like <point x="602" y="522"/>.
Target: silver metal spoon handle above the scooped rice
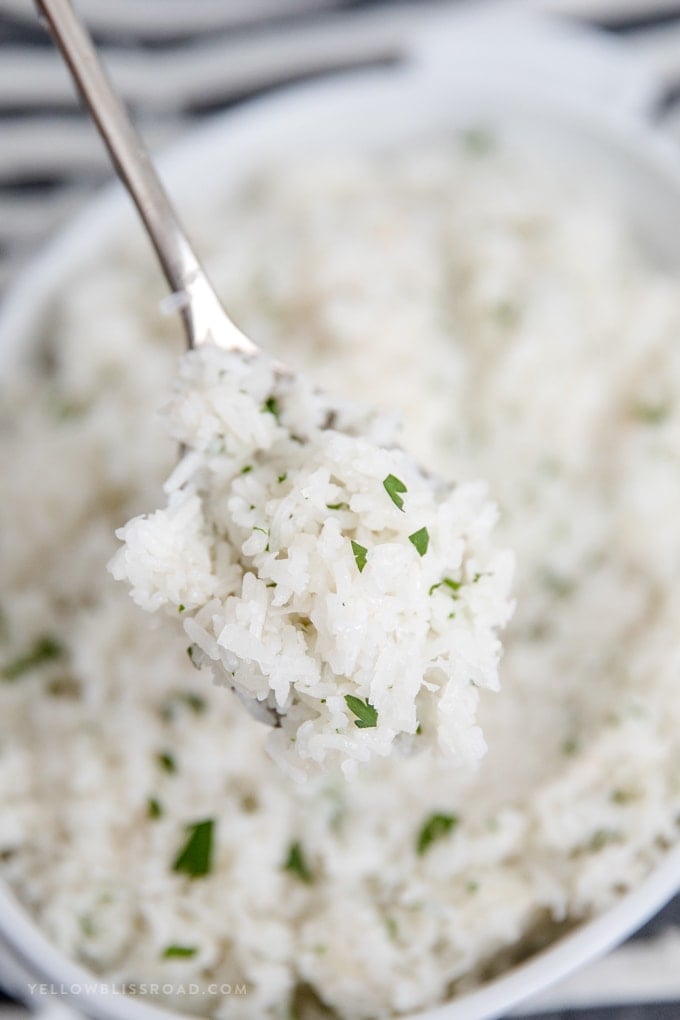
<point x="203" y="317"/>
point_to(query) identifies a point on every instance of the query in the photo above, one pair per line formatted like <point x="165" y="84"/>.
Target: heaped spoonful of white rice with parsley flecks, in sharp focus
<point x="322" y="573"/>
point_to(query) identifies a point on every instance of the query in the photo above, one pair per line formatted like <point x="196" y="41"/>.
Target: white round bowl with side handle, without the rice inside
<point x="582" y="96"/>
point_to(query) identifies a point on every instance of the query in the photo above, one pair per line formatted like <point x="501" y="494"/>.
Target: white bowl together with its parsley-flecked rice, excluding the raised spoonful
<point x="496" y="263"/>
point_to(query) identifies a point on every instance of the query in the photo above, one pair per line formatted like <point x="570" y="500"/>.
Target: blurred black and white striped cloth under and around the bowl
<point x="178" y="62"/>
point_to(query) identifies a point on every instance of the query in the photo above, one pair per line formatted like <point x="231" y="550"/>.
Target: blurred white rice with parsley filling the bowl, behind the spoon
<point x="547" y="361"/>
